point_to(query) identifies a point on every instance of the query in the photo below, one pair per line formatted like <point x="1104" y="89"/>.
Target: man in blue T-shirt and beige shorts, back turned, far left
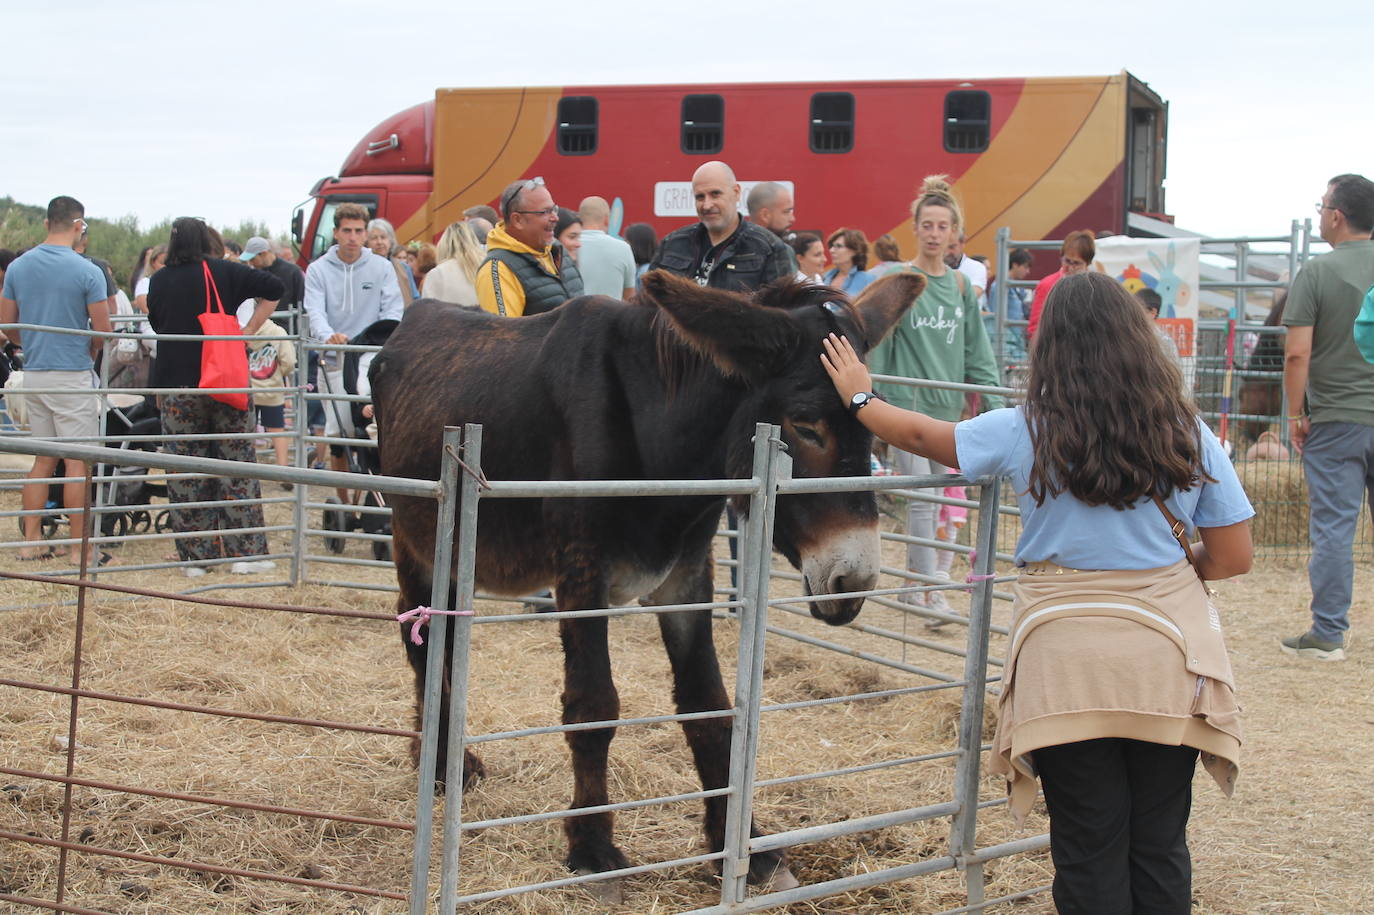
<point x="54" y="286"/>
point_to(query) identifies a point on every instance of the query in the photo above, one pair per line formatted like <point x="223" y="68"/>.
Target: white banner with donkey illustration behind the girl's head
<point x="1169" y="267"/>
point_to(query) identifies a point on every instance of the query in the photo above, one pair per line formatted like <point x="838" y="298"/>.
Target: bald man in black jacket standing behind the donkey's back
<point x="723" y="249"/>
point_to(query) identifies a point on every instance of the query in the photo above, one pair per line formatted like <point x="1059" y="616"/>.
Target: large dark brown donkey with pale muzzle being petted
<point x="668" y="388"/>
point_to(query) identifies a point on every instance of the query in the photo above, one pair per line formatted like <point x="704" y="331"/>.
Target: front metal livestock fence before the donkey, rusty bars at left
<point x="751" y="612"/>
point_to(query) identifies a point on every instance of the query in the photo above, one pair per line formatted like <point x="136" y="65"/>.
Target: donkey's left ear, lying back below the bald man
<point x="728" y="329"/>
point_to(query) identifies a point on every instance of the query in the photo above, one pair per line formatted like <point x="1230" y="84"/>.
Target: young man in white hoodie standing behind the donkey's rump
<point x="347" y="291"/>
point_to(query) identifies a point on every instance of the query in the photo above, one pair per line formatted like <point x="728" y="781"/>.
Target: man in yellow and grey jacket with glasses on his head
<point x="527" y="273"/>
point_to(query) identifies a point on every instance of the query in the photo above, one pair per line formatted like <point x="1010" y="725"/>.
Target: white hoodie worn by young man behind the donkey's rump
<point x="348" y="299"/>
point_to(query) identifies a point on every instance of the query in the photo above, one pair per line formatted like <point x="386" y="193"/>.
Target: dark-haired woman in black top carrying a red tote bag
<point x="186" y="297"/>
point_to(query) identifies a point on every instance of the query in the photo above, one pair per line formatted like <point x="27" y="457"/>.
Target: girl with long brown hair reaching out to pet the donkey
<point x="1116" y="675"/>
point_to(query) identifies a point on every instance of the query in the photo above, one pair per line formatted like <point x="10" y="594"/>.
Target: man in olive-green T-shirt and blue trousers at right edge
<point x="1336" y="428"/>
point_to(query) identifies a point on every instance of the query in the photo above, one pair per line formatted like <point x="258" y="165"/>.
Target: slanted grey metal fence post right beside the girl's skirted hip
<point x="968" y="773"/>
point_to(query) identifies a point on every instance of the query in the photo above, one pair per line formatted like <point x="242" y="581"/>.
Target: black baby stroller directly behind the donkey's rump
<point x="362" y="460"/>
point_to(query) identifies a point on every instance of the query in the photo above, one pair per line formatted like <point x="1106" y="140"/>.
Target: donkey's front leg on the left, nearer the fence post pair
<point x="589" y="696"/>
